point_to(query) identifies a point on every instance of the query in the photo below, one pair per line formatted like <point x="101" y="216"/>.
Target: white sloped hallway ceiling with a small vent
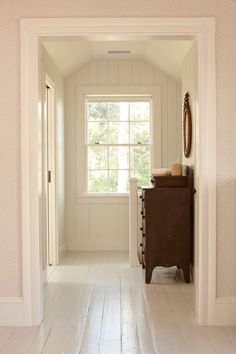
<point x="167" y="55"/>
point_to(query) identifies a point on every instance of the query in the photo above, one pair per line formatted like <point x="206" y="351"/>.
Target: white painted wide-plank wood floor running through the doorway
<point x="94" y="303"/>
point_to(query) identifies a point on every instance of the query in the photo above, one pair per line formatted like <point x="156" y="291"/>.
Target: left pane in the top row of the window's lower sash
<point x="97" y="157"/>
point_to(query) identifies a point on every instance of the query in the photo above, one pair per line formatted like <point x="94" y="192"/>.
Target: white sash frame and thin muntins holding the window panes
<point x="116" y="98"/>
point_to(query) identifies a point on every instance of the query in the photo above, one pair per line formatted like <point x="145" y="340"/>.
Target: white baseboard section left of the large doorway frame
<point x="11" y="311"/>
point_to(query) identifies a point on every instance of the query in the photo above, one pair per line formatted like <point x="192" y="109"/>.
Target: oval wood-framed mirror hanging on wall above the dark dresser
<point x="187" y="122"/>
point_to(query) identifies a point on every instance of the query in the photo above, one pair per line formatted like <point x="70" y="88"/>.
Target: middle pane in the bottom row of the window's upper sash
<point x="118" y="133"/>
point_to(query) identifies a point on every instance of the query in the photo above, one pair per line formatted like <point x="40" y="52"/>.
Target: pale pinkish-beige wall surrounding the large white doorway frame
<point x="10" y="215"/>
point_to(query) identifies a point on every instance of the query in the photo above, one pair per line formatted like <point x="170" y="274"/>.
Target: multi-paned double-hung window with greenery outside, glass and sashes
<point x="118" y="143"/>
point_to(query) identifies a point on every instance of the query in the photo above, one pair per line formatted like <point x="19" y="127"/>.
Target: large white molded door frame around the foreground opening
<point x="200" y="29"/>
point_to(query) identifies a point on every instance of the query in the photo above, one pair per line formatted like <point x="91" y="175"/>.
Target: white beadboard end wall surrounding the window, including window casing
<point x="101" y="223"/>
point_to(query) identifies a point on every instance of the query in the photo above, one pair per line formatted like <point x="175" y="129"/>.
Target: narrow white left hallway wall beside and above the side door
<point x="49" y="68"/>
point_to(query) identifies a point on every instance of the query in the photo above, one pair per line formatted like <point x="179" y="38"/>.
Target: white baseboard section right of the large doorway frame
<point x="225" y="311"/>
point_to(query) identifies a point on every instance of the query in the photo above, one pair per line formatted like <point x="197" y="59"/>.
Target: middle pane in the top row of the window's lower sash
<point x="119" y="157"/>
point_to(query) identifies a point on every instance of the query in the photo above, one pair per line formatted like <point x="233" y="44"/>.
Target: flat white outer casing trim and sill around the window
<point x="153" y="91"/>
